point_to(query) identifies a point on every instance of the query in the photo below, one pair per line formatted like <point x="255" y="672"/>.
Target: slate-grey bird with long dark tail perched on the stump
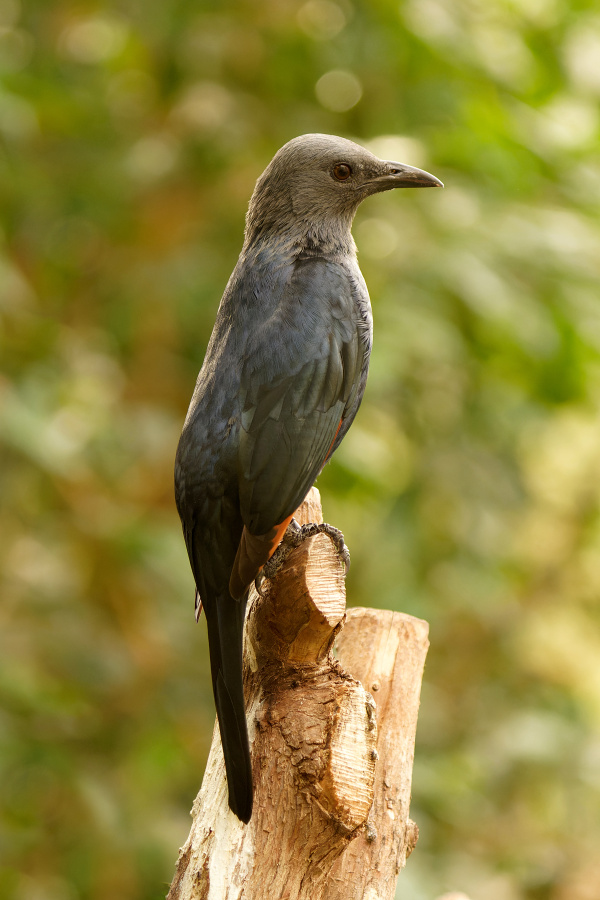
<point x="282" y="379"/>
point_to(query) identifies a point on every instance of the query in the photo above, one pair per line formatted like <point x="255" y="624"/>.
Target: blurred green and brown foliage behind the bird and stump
<point x="131" y="134"/>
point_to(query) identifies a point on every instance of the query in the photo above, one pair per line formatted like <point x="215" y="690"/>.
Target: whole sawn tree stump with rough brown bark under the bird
<point x="332" y="746"/>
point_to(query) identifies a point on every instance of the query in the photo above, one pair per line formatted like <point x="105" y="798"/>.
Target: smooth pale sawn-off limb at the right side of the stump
<point x="386" y="651"/>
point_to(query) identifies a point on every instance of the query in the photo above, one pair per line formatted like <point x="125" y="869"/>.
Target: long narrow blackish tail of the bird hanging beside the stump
<point x="226" y="633"/>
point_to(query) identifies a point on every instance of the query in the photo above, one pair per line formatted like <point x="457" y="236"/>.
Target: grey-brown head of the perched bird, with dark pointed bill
<point x="316" y="182"/>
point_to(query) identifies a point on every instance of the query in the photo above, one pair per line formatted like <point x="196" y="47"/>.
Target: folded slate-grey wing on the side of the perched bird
<point x="299" y="381"/>
